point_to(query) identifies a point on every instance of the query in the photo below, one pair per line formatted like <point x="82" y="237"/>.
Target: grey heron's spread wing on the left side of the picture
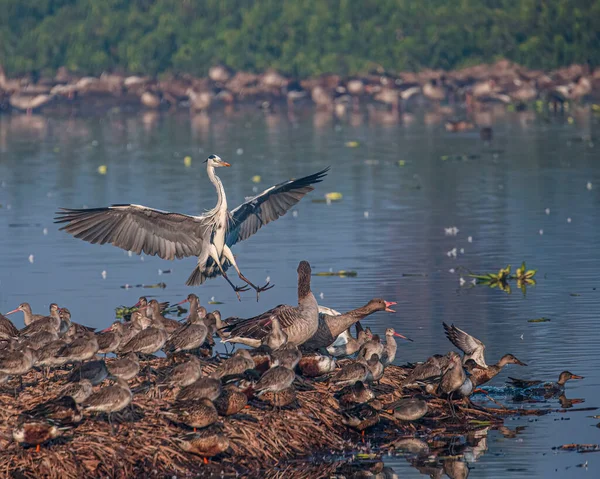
<point x="139" y="229"/>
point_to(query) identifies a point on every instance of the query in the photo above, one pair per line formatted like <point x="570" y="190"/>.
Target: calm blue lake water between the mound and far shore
<point x="532" y="195"/>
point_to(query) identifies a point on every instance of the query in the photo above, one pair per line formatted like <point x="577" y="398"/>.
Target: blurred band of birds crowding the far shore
<point x="503" y="82"/>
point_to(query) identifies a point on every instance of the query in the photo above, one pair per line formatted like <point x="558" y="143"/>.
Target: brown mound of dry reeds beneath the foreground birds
<point x="142" y="445"/>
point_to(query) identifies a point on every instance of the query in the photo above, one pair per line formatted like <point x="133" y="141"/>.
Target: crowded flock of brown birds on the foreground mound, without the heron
<point x="288" y="346"/>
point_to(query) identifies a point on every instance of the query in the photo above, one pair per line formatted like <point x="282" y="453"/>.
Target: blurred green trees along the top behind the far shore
<point x="300" y="37"/>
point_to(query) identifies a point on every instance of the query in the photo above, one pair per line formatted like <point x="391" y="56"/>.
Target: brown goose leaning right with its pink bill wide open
<point x="331" y="326"/>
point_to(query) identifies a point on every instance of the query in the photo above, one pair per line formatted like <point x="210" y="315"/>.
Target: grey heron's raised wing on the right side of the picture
<point x="247" y="219"/>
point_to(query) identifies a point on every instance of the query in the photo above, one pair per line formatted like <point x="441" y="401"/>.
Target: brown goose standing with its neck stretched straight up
<point x="299" y="322"/>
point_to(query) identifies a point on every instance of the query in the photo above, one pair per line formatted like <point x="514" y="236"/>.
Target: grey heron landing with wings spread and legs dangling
<point x="174" y="235"/>
